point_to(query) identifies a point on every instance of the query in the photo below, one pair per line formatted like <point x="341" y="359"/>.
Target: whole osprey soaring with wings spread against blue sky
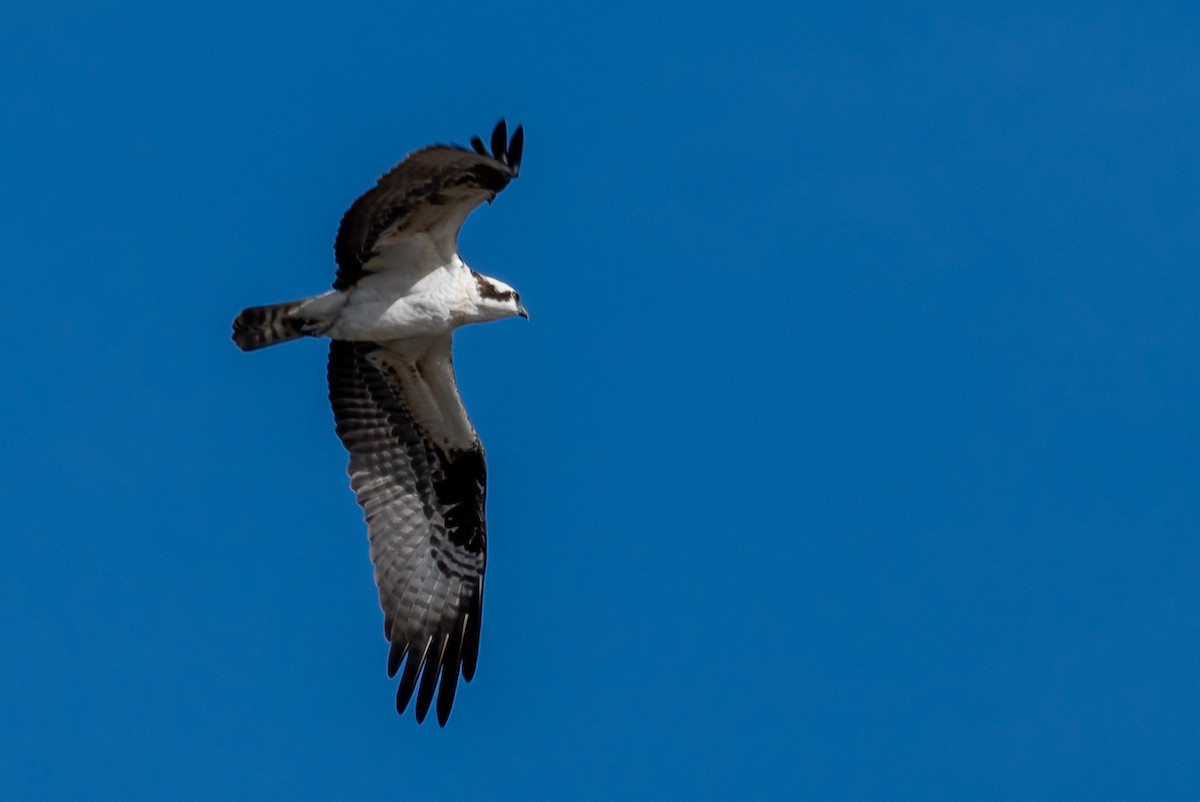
<point x="417" y="465"/>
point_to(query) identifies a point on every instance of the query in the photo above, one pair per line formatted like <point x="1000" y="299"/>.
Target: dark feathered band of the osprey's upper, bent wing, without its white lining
<point x="440" y="176"/>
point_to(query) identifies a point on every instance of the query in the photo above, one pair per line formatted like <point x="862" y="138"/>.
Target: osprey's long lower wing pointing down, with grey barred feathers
<point x="424" y="508"/>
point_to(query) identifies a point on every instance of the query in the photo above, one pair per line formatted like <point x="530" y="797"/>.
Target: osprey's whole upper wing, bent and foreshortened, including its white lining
<point x="430" y="193"/>
